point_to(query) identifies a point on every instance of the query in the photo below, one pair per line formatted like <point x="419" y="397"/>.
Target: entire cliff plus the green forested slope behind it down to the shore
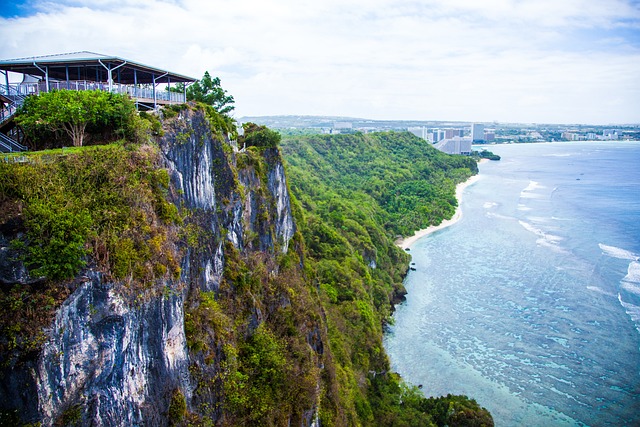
<point x="177" y="281"/>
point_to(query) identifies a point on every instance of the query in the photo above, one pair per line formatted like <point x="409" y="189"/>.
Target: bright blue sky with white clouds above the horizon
<point x="524" y="61"/>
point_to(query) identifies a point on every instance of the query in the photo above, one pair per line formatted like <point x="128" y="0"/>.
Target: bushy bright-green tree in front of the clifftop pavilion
<point x="72" y="111"/>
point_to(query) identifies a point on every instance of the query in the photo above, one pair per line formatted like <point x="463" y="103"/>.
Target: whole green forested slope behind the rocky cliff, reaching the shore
<point x="353" y="194"/>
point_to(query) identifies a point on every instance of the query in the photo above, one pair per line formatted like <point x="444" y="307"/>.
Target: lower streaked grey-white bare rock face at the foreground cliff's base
<point x="119" y="363"/>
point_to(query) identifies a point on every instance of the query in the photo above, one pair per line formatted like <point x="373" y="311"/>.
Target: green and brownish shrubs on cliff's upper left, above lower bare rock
<point x="107" y="202"/>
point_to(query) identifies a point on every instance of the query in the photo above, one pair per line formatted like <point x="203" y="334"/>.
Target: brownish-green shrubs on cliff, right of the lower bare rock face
<point x="249" y="339"/>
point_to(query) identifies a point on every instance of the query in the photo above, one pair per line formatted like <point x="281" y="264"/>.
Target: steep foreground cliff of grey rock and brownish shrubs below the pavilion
<point x="134" y="348"/>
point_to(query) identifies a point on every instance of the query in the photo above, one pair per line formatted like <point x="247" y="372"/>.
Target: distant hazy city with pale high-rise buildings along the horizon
<point x="453" y="137"/>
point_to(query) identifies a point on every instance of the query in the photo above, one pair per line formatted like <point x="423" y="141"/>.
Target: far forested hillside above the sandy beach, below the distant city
<point x="398" y="181"/>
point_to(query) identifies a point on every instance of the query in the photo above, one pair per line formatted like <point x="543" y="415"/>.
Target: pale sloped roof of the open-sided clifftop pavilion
<point x="91" y="66"/>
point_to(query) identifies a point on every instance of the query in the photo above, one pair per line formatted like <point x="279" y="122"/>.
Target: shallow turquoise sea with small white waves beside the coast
<point x="531" y="302"/>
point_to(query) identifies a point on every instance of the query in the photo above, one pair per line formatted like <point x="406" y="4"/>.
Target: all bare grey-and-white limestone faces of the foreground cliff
<point x="112" y="359"/>
